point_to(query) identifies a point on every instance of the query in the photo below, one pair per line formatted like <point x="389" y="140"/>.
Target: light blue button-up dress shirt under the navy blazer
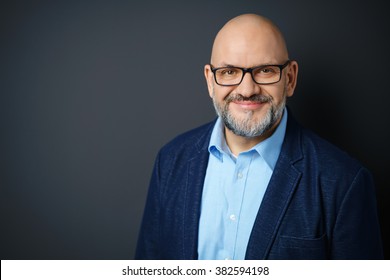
<point x="233" y="190"/>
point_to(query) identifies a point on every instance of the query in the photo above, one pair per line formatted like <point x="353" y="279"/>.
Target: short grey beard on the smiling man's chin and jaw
<point x="247" y="127"/>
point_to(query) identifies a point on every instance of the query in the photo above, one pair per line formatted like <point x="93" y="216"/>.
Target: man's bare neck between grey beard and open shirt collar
<point x="238" y="144"/>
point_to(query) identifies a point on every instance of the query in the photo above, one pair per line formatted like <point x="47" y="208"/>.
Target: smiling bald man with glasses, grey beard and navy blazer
<point x="254" y="184"/>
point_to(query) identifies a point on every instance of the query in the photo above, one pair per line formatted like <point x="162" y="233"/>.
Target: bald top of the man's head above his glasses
<point x="249" y="40"/>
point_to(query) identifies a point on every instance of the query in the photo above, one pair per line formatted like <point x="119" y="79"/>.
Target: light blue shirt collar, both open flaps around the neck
<point x="269" y="149"/>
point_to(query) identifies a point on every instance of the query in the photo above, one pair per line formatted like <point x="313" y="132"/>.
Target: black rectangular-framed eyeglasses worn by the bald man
<point x="262" y="75"/>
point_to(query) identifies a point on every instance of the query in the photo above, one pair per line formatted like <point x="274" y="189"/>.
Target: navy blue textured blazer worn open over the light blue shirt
<point x="320" y="203"/>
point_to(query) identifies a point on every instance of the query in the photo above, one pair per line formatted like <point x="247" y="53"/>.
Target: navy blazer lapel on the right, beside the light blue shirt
<point x="279" y="192"/>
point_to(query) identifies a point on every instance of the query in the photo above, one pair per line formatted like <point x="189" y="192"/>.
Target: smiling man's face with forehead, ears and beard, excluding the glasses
<point x="250" y="109"/>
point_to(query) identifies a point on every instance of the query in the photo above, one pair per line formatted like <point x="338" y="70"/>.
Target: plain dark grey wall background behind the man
<point x="90" y="90"/>
